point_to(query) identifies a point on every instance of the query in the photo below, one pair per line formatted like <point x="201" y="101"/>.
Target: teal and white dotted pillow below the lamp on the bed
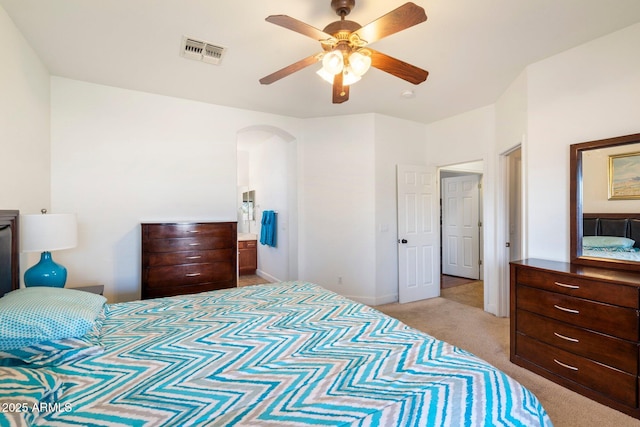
<point x="32" y="315"/>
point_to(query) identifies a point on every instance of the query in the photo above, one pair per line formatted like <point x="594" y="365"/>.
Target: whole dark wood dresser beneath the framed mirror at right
<point x="579" y="327"/>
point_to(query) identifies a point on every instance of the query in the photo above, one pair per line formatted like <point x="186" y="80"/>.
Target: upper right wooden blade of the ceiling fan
<point x="398" y="19"/>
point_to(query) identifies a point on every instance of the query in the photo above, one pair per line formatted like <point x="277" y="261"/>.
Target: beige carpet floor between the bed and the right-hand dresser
<point x="487" y="336"/>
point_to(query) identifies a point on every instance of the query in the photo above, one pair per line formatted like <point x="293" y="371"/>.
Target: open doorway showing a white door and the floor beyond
<point x="461" y="233"/>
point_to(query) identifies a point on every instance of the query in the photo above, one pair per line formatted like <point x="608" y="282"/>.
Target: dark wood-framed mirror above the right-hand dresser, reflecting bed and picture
<point x="605" y="203"/>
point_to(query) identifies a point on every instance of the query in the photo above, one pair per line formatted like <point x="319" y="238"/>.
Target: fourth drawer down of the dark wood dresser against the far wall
<point x="188" y="274"/>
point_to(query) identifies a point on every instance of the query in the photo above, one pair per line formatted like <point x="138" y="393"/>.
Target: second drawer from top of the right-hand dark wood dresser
<point x="620" y="322"/>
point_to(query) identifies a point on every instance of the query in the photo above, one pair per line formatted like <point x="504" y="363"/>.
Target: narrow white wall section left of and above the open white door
<point x="396" y="142"/>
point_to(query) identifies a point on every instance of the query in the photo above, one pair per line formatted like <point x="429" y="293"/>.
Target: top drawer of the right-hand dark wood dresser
<point x="611" y="293"/>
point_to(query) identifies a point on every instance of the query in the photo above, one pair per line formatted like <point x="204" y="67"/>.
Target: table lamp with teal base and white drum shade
<point x="46" y="233"/>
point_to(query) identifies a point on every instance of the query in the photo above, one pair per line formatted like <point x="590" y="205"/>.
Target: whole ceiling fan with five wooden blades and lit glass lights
<point x="346" y="55"/>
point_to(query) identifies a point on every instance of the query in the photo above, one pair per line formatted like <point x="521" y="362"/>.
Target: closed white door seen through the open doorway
<point x="460" y="227"/>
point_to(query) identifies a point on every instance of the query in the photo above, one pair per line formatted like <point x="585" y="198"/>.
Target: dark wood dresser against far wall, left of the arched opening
<point x="188" y="257"/>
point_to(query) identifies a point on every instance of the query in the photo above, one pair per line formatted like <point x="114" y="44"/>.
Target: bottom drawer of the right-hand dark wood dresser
<point x="611" y="382"/>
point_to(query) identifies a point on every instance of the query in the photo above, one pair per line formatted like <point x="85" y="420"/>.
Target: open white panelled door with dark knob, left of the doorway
<point x="418" y="233"/>
